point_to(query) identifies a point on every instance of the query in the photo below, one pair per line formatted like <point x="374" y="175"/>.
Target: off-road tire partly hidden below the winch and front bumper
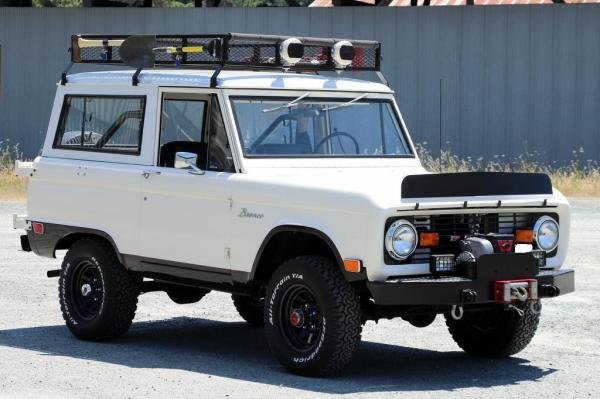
<point x="495" y="333"/>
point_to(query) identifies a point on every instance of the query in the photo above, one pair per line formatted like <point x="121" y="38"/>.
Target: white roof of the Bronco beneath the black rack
<point x="232" y="80"/>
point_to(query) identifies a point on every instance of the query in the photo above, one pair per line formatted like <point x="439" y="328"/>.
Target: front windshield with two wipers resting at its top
<point x="305" y="127"/>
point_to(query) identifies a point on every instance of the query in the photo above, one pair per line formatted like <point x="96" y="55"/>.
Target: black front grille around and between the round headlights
<point x="453" y="228"/>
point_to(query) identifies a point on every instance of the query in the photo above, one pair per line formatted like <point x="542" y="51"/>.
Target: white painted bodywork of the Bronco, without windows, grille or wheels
<point x="221" y="219"/>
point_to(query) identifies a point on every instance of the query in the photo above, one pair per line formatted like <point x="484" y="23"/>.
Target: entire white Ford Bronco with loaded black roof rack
<point x="254" y="165"/>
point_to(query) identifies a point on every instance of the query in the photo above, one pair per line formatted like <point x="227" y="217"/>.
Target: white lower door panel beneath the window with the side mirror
<point x="185" y="218"/>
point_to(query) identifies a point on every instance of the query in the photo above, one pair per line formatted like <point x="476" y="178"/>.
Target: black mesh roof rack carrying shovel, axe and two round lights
<point x="225" y="51"/>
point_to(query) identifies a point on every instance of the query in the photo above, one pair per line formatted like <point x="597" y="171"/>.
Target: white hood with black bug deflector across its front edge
<point x="383" y="186"/>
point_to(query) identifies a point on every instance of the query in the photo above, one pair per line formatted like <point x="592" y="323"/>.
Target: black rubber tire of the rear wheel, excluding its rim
<point x="119" y="298"/>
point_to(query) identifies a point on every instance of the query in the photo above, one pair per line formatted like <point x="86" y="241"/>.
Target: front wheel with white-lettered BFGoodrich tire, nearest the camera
<point x="312" y="317"/>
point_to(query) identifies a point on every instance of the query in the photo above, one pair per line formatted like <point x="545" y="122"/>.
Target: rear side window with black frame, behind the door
<point x="101" y="123"/>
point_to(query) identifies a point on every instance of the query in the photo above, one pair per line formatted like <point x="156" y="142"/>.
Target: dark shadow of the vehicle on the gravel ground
<point x="236" y="350"/>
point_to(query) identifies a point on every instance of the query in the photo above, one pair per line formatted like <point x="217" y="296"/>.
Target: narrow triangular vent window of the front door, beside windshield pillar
<point x="220" y="158"/>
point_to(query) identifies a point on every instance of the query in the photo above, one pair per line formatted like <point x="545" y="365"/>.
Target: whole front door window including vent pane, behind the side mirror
<point x="194" y="125"/>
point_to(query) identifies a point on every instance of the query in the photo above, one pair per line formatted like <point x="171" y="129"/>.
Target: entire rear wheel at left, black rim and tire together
<point x="98" y="297"/>
